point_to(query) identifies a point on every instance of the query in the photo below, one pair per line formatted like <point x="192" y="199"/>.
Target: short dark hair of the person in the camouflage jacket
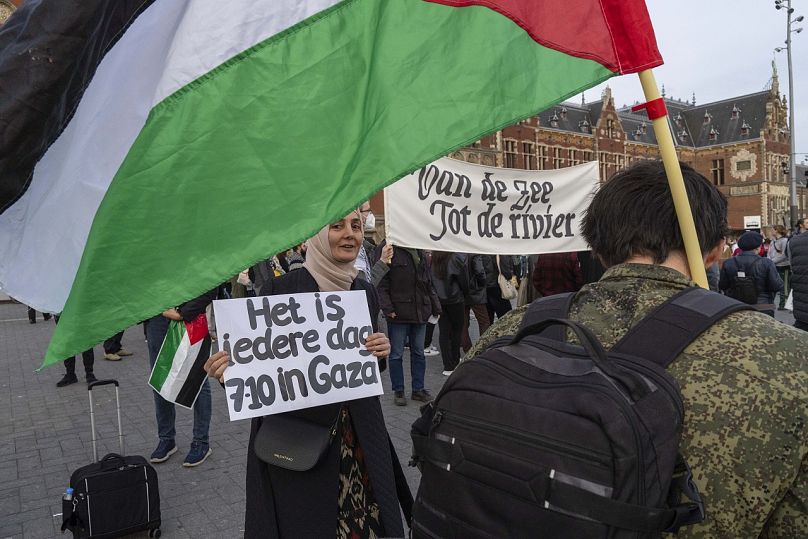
<point x="633" y="214"/>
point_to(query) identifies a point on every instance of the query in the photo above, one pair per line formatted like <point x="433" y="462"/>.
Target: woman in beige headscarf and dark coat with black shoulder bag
<point x="351" y="484"/>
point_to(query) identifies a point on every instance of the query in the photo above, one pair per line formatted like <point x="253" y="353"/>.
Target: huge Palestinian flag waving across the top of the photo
<point x="151" y="149"/>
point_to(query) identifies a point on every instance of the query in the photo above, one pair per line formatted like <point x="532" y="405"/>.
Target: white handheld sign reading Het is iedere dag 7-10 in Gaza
<point x="290" y="352"/>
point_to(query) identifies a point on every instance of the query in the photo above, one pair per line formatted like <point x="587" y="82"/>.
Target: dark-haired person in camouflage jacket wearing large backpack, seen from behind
<point x="742" y="382"/>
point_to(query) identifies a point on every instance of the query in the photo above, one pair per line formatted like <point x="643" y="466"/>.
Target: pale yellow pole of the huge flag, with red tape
<point x="676" y="183"/>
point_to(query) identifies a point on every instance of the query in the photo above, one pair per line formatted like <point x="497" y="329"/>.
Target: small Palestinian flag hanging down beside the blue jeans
<point x="177" y="374"/>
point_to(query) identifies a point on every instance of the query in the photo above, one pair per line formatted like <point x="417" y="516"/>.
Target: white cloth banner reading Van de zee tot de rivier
<point x="455" y="206"/>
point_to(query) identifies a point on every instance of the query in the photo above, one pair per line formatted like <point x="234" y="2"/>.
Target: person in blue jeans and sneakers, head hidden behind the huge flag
<point x="156" y="329"/>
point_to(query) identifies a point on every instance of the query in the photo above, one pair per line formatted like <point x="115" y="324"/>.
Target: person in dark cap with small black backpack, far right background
<point x="750" y="278"/>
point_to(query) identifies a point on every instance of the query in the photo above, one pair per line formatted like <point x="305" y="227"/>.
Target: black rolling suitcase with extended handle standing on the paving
<point x="115" y="496"/>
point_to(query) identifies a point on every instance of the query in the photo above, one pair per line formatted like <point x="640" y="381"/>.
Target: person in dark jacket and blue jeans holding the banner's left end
<point x="407" y="298"/>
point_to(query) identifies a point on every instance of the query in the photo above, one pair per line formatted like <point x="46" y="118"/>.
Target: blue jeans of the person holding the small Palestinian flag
<point x="165" y="411"/>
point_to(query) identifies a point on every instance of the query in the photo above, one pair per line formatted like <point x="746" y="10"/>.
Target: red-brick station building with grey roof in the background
<point x="740" y="143"/>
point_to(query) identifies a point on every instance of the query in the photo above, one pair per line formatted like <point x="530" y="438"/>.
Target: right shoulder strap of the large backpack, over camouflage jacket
<point x="671" y="327"/>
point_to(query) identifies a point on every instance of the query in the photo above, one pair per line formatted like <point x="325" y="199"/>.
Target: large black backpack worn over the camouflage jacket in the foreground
<point x="540" y="437"/>
